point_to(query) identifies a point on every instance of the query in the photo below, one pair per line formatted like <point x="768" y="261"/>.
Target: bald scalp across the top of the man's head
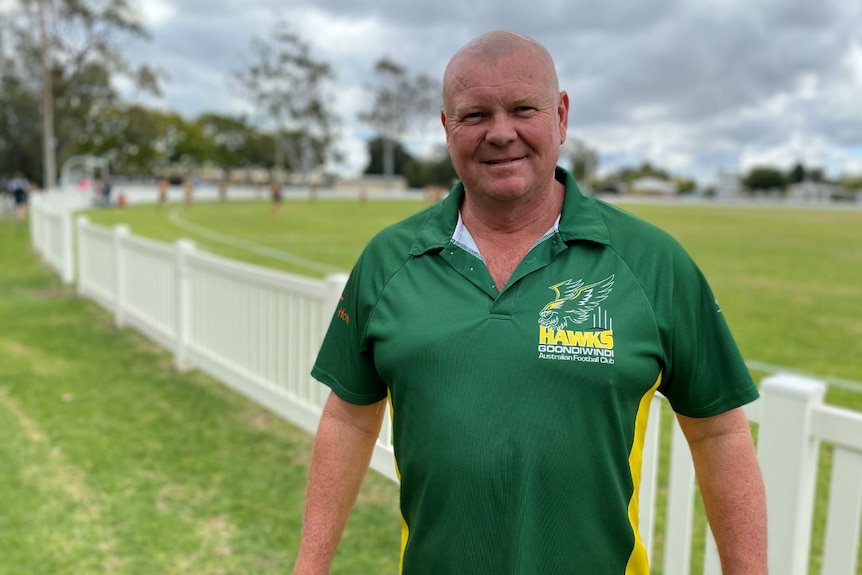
<point x="495" y="46"/>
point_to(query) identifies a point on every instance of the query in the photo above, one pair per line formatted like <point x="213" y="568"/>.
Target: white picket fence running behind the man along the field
<point x="258" y="331"/>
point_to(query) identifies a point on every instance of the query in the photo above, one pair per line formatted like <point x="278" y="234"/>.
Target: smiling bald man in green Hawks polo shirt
<point x="519" y="329"/>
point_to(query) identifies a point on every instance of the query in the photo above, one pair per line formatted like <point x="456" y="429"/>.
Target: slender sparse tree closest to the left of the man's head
<point x="399" y="100"/>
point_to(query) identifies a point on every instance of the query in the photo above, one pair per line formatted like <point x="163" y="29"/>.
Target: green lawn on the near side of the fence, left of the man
<point x="112" y="463"/>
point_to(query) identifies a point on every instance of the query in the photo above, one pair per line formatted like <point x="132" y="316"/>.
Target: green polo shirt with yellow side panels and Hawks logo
<point x="519" y="416"/>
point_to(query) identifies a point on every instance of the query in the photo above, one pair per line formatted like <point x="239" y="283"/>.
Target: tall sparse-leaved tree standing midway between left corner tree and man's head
<point x="287" y="85"/>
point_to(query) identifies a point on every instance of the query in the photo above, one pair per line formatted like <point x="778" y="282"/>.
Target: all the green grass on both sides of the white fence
<point x="113" y="463"/>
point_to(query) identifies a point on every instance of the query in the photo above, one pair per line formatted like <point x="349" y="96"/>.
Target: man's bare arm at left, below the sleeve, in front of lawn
<point x="342" y="449"/>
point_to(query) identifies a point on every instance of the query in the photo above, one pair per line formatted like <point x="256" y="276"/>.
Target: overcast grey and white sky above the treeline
<point x="693" y="86"/>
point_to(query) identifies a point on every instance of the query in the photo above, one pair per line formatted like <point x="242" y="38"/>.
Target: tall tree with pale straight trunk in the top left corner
<point x="80" y="57"/>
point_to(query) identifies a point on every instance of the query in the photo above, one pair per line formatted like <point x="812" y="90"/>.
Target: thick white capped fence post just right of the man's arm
<point x="788" y="455"/>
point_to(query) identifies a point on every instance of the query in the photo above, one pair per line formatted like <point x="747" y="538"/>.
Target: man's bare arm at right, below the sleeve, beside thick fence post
<point x="732" y="488"/>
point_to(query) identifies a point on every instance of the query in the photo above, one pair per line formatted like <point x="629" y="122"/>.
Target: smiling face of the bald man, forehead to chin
<point x="505" y="123"/>
